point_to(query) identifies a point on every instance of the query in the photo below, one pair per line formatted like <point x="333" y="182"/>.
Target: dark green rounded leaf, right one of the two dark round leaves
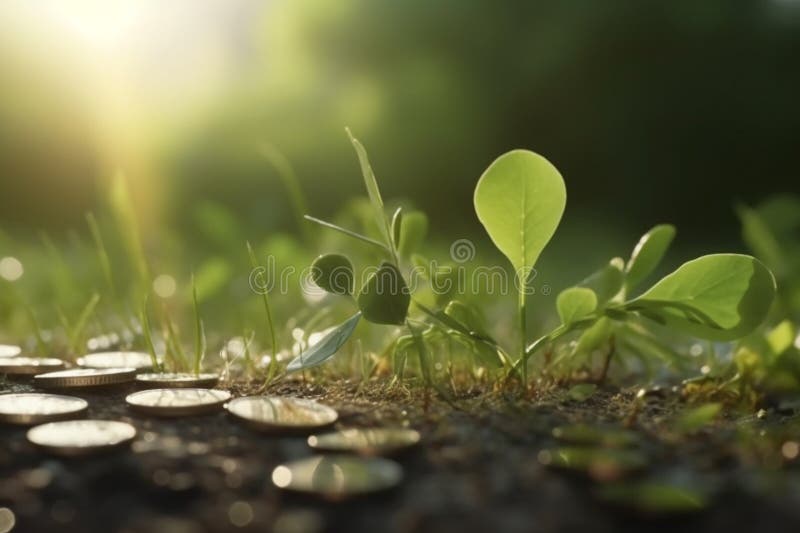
<point x="385" y="297"/>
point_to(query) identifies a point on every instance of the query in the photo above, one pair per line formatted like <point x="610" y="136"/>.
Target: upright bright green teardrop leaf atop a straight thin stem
<point x="520" y="200"/>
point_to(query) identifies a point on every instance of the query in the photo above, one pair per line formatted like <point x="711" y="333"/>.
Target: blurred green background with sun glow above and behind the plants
<point x="654" y="112"/>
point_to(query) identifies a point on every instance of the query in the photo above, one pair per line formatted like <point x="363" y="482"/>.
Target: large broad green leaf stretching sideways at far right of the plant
<point x="718" y="297"/>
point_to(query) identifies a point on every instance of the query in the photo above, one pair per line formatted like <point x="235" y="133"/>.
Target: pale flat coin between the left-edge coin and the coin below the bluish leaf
<point x="177" y="402"/>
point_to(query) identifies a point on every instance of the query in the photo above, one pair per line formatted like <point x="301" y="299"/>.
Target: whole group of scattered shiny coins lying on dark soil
<point x="354" y="467"/>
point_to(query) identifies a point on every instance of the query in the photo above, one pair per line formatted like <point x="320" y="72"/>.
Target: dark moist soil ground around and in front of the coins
<point x="478" y="469"/>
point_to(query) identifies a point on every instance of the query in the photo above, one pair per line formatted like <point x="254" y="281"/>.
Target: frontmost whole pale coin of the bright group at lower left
<point x="81" y="437"/>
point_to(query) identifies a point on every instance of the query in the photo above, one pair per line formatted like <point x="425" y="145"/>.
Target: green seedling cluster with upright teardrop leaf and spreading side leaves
<point x="520" y="200"/>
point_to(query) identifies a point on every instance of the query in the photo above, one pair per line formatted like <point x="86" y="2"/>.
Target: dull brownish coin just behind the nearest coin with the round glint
<point x="372" y="441"/>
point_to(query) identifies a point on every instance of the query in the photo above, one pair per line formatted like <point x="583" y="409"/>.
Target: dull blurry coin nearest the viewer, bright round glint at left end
<point x="338" y="477"/>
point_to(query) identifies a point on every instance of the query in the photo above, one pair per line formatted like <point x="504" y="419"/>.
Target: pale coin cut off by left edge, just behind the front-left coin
<point x="35" y="408"/>
